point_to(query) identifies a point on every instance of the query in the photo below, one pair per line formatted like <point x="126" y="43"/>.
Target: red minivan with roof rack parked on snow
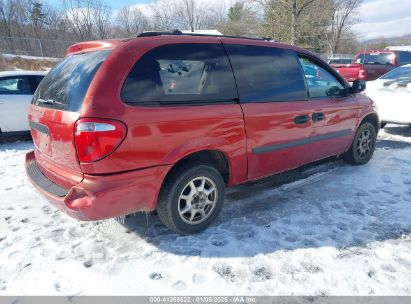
<point x="165" y="121"/>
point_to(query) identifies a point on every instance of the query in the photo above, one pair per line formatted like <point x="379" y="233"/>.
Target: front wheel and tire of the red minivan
<point x="363" y="145"/>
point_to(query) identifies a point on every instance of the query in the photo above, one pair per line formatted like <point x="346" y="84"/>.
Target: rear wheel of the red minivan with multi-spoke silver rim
<point x="206" y="193"/>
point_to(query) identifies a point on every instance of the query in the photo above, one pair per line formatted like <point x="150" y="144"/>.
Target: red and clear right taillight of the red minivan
<point x="97" y="138"/>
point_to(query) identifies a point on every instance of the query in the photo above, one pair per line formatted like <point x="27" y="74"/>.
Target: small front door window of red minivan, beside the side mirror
<point x="320" y="82"/>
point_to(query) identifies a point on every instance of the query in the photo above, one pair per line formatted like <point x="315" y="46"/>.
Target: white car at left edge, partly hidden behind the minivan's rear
<point x="16" y="91"/>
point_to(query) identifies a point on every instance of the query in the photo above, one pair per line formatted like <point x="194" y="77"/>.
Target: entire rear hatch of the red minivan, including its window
<point x="55" y="109"/>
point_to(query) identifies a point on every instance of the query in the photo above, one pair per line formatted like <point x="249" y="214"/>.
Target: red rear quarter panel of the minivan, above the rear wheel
<point x="163" y="135"/>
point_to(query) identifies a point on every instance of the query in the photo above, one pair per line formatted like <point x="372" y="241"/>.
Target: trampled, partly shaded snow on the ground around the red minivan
<point x="336" y="229"/>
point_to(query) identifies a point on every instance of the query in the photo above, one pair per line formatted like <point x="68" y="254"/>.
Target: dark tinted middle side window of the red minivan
<point x="266" y="74"/>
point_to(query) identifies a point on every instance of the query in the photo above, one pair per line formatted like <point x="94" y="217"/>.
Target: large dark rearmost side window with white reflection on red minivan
<point x="181" y="73"/>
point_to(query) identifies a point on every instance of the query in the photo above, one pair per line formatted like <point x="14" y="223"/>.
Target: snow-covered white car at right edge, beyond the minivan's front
<point x="392" y="94"/>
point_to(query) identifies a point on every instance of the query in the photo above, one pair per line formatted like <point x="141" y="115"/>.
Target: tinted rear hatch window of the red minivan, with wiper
<point x="65" y="86"/>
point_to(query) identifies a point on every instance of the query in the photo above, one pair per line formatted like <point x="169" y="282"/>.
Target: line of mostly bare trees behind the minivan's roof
<point x="324" y="26"/>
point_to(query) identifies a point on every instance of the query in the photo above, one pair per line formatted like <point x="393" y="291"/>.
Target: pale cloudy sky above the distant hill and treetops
<point x="379" y="18"/>
